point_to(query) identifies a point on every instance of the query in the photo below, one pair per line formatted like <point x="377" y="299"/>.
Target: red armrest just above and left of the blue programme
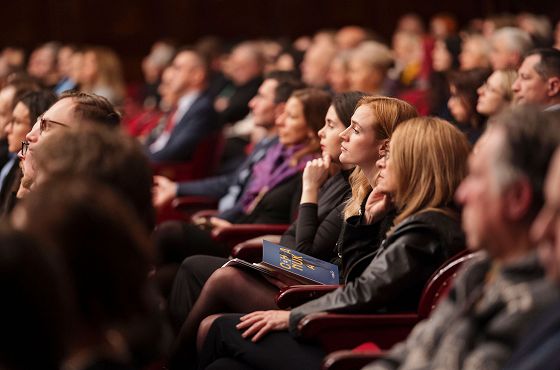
<point x="235" y="234"/>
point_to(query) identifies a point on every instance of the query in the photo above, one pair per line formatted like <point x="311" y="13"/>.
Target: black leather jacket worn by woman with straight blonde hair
<point x="399" y="270"/>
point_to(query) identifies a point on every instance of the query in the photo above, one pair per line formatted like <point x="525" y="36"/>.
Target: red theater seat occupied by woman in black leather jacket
<point x="344" y="331"/>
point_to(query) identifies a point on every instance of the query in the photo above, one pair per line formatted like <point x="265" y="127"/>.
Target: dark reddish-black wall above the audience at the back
<point x="131" y="26"/>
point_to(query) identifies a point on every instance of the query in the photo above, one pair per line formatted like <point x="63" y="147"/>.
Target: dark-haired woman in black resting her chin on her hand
<point x="325" y="187"/>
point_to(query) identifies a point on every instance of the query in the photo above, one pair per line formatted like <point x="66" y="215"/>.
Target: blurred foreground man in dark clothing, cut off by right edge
<point x="541" y="347"/>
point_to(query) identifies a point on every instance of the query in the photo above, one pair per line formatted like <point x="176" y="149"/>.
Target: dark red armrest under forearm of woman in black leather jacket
<point x="344" y="331"/>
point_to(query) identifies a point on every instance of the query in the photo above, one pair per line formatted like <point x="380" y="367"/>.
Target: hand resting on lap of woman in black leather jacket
<point x="258" y="323"/>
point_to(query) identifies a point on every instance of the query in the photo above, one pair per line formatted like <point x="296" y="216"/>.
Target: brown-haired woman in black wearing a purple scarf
<point x="273" y="193"/>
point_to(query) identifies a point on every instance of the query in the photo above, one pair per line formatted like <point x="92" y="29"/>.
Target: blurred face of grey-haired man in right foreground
<point x="480" y="196"/>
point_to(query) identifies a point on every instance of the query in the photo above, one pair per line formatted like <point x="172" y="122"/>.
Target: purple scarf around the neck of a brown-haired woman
<point x="270" y="171"/>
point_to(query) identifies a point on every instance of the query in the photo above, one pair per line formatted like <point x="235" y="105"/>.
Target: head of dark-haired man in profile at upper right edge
<point x="538" y="82"/>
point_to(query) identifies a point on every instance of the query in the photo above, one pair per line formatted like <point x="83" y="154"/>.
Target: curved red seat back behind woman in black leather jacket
<point x="439" y="284"/>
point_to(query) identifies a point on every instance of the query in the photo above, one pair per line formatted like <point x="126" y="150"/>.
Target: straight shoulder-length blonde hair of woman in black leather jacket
<point x="429" y="158"/>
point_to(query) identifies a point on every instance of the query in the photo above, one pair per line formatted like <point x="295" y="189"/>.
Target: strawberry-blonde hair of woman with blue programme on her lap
<point x="387" y="113"/>
